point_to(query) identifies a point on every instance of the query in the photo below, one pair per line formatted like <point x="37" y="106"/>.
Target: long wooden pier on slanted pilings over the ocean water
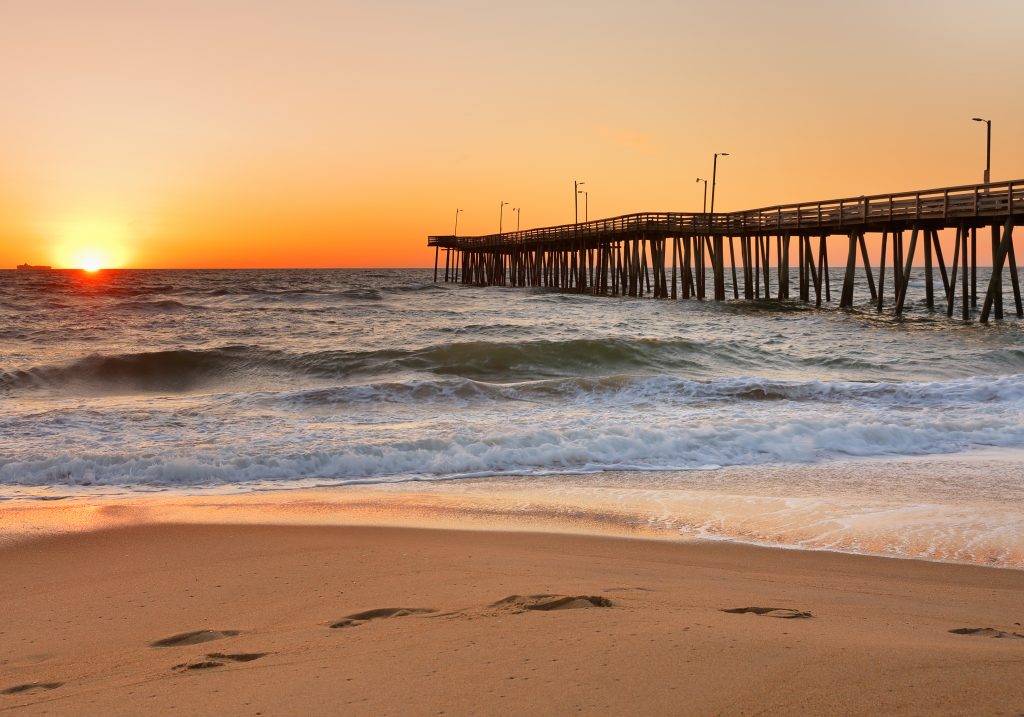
<point x="684" y="255"/>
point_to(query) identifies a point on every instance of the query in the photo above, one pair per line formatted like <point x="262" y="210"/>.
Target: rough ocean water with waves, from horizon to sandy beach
<point x="764" y="423"/>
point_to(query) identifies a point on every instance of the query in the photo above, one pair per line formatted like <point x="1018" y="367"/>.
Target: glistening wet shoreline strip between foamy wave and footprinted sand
<point x="875" y="508"/>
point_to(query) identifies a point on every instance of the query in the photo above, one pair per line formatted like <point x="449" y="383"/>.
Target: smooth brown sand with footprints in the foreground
<point x="274" y="620"/>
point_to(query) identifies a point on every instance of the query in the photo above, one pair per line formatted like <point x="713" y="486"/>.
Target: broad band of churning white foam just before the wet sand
<point x="260" y="447"/>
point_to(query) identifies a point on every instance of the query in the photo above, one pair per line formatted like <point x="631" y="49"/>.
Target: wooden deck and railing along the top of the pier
<point x="944" y="204"/>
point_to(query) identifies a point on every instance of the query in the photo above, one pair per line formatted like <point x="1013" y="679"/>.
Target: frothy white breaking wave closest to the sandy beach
<point x="497" y="448"/>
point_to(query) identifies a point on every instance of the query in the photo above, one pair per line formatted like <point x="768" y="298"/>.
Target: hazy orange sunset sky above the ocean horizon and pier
<point x="333" y="134"/>
